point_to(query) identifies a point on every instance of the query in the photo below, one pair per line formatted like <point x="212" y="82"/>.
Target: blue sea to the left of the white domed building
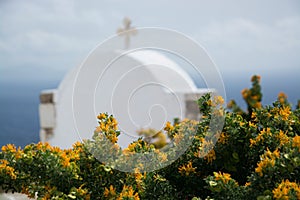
<point x="19" y="120"/>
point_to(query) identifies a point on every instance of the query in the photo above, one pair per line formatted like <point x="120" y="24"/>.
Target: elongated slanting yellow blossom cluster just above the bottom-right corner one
<point x="267" y="160"/>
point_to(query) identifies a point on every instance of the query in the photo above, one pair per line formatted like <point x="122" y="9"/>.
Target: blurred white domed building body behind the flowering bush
<point x="141" y="89"/>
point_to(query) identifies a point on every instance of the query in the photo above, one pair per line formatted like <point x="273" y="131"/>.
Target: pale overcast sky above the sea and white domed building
<point x="244" y="37"/>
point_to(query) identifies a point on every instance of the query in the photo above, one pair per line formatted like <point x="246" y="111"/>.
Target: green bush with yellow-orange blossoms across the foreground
<point x="255" y="156"/>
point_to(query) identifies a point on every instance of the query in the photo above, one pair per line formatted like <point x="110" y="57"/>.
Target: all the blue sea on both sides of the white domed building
<point x="19" y="121"/>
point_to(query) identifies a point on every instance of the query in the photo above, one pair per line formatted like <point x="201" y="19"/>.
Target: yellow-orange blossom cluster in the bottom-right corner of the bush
<point x="284" y="189"/>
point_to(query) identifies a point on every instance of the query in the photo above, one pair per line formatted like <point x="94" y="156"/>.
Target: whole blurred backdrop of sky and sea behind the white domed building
<point x="40" y="41"/>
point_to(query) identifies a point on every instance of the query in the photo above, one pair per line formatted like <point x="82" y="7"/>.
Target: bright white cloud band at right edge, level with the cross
<point x="285" y="32"/>
